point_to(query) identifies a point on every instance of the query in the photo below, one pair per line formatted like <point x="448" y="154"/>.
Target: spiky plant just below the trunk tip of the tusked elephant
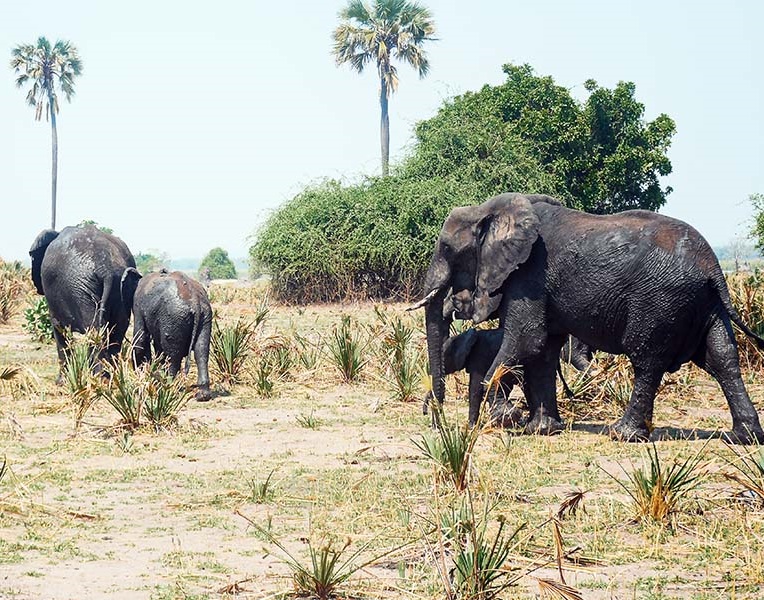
<point x="450" y="447"/>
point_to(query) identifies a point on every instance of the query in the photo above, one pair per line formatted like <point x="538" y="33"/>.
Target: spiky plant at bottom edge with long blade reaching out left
<point x="331" y="564"/>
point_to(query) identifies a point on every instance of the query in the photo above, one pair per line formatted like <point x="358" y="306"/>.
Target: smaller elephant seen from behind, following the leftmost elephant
<point x="171" y="311"/>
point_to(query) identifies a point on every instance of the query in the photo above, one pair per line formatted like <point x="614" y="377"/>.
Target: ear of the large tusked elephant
<point x="505" y="238"/>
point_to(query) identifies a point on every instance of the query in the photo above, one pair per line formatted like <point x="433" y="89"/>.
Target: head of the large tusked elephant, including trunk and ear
<point x="478" y="247"/>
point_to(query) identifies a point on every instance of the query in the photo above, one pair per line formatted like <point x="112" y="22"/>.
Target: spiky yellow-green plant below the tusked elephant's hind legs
<point x="657" y="492"/>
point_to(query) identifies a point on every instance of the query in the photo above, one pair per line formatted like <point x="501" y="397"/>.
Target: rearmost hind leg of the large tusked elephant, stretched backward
<point x="719" y="358"/>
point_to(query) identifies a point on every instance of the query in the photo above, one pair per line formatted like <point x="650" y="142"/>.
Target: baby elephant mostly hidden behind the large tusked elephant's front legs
<point x="474" y="351"/>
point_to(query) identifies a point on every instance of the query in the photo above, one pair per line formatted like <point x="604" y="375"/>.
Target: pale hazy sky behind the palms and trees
<point x="193" y="120"/>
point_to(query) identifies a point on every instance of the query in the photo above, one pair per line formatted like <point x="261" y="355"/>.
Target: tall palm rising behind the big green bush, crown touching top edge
<point x="379" y="32"/>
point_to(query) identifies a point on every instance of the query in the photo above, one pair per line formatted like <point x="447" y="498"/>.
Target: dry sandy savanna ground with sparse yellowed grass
<point x="105" y="513"/>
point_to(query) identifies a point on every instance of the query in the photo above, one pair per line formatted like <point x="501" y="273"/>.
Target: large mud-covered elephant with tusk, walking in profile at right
<point x="635" y="283"/>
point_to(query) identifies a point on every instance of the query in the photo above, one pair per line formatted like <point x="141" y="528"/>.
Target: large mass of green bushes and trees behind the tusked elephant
<point x="374" y="238"/>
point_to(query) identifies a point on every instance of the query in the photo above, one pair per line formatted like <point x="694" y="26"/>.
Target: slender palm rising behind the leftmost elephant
<point x="43" y="66"/>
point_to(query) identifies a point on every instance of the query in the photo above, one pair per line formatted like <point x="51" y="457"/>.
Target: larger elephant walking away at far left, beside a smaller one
<point x="78" y="271"/>
